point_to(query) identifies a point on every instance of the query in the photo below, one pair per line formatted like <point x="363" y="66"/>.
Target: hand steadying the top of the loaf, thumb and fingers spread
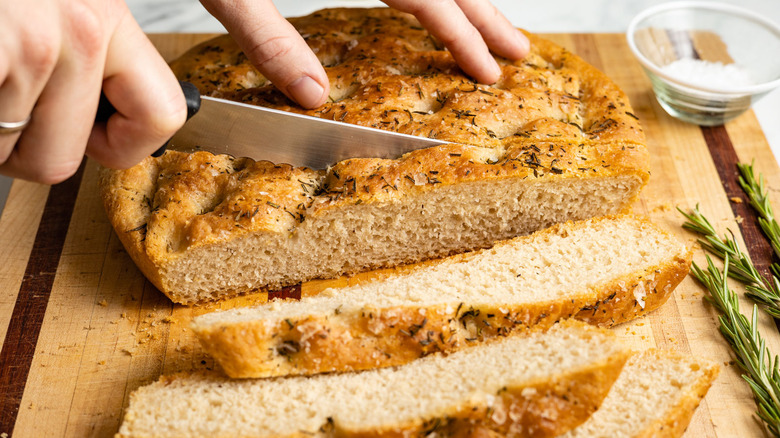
<point x="468" y="28"/>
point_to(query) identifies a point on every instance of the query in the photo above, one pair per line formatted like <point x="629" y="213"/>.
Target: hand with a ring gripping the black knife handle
<point x="55" y="56"/>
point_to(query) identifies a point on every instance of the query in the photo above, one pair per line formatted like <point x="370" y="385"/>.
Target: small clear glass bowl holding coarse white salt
<point x="708" y="62"/>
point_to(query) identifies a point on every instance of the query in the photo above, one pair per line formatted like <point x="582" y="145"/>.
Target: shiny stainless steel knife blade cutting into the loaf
<point x="226" y="127"/>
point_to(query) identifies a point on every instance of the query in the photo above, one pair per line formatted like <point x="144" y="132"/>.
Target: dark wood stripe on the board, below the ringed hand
<point x="33" y="297"/>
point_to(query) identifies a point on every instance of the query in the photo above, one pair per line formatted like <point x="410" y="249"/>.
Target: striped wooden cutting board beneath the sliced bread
<point x="82" y="327"/>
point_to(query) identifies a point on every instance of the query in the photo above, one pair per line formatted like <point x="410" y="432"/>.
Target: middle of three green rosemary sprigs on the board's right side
<point x="759" y="289"/>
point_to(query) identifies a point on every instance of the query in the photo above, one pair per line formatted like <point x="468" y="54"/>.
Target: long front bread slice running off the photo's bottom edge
<point x="538" y="385"/>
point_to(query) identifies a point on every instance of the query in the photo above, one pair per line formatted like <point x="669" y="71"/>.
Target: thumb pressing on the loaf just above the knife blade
<point x="274" y="47"/>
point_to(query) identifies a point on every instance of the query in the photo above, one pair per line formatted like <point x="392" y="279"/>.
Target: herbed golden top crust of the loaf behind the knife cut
<point x="381" y="63"/>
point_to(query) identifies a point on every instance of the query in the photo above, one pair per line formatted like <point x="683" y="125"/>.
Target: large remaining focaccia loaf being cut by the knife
<point x="553" y="140"/>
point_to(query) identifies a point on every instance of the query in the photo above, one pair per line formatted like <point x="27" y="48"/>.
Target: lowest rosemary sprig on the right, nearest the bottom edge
<point x="753" y="356"/>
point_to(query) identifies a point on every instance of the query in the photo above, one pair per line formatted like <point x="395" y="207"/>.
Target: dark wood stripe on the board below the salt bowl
<point x="726" y="159"/>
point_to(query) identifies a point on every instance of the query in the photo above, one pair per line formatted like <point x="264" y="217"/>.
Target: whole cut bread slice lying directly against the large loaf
<point x="603" y="271"/>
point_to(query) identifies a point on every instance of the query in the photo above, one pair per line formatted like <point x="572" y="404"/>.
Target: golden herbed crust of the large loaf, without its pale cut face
<point x="551" y="117"/>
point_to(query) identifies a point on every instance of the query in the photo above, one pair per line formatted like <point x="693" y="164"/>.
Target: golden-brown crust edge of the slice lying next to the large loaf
<point x="373" y="338"/>
